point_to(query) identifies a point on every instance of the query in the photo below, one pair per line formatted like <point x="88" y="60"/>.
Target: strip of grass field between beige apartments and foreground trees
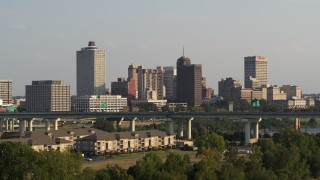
<point x="127" y="160"/>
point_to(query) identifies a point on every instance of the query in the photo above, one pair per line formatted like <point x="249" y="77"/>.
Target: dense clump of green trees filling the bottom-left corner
<point x="20" y="161"/>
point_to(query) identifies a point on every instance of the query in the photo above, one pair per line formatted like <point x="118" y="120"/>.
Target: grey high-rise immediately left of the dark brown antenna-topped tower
<point x="169" y="81"/>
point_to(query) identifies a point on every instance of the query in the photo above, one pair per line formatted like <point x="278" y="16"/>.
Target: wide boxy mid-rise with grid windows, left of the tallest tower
<point x="46" y="96"/>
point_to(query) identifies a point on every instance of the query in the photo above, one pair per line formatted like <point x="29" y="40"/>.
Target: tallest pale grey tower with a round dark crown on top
<point x="91" y="70"/>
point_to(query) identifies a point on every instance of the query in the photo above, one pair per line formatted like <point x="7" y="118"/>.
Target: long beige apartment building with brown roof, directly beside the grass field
<point x="101" y="143"/>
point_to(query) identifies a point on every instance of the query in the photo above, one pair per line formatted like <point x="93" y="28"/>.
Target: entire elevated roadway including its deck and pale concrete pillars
<point x="180" y="117"/>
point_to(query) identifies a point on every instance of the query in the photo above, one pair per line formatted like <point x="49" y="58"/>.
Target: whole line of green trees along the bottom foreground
<point x="288" y="155"/>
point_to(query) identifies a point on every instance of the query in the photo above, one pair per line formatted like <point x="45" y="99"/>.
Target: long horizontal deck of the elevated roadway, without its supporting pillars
<point x="165" y="115"/>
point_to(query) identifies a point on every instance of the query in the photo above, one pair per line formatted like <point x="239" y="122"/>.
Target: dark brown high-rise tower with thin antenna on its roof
<point x="189" y="82"/>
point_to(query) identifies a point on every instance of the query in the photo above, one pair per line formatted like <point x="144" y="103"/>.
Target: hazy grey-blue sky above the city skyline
<point x="39" y="38"/>
